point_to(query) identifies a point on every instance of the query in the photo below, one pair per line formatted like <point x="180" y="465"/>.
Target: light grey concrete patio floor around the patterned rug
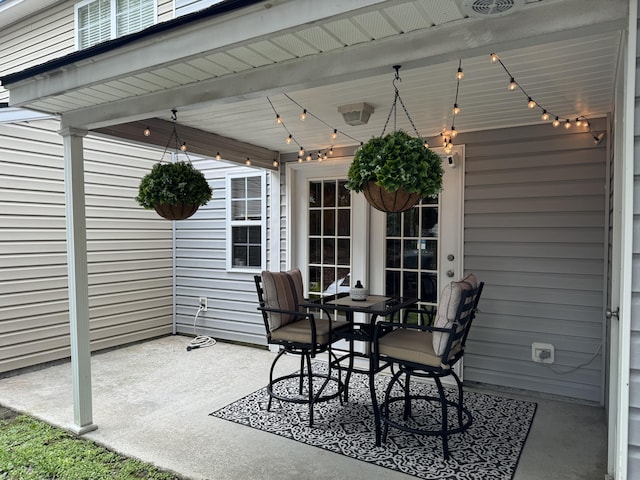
<point x="152" y="401"/>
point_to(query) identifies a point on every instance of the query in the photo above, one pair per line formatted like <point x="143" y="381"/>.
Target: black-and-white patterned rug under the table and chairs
<point x="488" y="450"/>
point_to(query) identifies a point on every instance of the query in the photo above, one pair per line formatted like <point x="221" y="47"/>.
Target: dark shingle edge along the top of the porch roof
<point x="225" y="6"/>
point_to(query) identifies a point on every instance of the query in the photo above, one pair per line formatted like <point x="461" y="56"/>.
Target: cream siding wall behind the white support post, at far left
<point x="129" y="249"/>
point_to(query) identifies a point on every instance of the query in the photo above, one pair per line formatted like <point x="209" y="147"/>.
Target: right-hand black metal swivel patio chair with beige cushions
<point x="427" y="351"/>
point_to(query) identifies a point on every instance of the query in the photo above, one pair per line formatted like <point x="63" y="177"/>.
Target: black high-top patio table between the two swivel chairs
<point x="373" y="307"/>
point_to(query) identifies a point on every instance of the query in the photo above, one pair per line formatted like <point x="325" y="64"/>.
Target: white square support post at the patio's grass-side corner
<point x="78" y="279"/>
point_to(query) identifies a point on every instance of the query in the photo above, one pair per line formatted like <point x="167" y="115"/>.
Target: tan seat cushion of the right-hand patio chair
<point x="410" y="345"/>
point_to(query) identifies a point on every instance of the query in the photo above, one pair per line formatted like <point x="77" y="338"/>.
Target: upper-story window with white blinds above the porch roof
<point x="101" y="20"/>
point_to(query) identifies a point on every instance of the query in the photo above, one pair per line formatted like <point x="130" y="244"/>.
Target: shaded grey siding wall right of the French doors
<point x="534" y="232"/>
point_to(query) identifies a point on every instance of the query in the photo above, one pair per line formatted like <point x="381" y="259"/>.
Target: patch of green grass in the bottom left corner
<point x="34" y="450"/>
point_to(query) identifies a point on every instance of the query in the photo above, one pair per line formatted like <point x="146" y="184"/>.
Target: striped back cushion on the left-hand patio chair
<point x="283" y="291"/>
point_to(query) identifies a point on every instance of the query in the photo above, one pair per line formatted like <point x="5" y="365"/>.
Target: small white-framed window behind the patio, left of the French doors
<point x="246" y="221"/>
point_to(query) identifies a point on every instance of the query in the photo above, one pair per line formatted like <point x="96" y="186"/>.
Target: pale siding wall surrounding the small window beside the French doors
<point x="201" y="267"/>
